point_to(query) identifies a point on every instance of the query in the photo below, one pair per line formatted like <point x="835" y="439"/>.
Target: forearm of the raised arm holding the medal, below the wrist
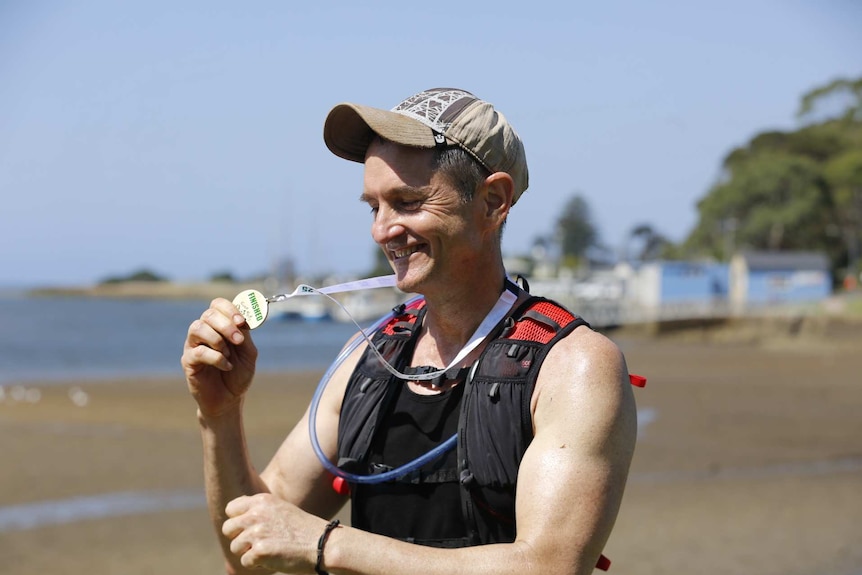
<point x="228" y="472"/>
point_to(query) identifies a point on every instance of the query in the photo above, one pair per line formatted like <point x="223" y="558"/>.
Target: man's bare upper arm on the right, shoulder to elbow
<point x="572" y="477"/>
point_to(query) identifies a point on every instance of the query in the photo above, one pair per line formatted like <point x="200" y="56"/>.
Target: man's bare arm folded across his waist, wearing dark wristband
<point x="569" y="487"/>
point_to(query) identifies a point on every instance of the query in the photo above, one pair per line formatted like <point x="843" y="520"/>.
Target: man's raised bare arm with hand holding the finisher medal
<point x="219" y="360"/>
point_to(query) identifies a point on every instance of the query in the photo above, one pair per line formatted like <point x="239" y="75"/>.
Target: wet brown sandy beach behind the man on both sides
<point x="749" y="460"/>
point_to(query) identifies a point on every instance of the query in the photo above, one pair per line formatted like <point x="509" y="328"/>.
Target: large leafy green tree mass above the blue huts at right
<point x="795" y="190"/>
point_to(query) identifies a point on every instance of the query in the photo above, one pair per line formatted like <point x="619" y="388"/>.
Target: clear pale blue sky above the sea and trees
<point x="186" y="137"/>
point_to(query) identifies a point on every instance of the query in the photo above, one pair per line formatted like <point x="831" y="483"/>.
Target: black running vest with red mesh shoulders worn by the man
<point x="476" y="481"/>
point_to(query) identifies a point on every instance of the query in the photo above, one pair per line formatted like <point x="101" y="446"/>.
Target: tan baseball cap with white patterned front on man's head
<point x="432" y="118"/>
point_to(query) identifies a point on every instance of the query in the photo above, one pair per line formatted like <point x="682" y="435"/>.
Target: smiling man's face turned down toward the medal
<point x="419" y="220"/>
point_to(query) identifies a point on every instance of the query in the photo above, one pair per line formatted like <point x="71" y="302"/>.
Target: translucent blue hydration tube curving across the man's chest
<point x="315" y="403"/>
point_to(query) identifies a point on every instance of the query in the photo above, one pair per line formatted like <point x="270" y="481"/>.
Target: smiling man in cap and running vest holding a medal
<point x="441" y="172"/>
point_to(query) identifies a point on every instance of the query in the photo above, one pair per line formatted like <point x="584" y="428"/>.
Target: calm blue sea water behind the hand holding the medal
<point x="55" y="339"/>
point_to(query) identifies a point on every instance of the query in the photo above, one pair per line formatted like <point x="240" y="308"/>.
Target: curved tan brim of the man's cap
<point x="350" y="128"/>
